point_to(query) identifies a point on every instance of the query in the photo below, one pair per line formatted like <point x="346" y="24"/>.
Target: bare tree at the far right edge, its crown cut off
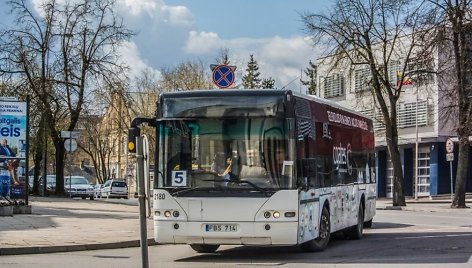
<point x="454" y="26"/>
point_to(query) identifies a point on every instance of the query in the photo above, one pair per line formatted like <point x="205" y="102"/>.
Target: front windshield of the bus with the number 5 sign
<point x="225" y="155"/>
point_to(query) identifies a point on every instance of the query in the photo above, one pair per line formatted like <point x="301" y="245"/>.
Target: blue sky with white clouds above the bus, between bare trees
<point x="170" y="32"/>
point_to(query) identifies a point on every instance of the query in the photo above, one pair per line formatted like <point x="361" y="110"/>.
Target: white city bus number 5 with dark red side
<point x="260" y="167"/>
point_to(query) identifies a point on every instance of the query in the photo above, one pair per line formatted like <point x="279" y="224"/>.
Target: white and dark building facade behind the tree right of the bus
<point x="423" y="125"/>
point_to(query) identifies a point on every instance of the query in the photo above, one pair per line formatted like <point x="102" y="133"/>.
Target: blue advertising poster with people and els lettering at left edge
<point x="13" y="120"/>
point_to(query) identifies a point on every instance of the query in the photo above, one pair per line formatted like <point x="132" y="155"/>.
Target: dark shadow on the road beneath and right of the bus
<point x="374" y="248"/>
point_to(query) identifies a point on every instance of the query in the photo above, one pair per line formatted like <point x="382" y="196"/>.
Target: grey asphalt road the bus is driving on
<point x="426" y="235"/>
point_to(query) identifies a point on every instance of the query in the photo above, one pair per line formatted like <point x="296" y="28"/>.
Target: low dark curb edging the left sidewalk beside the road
<point x="68" y="248"/>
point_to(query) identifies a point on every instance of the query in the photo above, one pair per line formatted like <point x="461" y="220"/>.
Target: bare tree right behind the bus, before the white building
<point x="372" y="33"/>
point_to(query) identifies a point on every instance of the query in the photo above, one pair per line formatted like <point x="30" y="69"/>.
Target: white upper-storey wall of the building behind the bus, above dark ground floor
<point x="431" y="127"/>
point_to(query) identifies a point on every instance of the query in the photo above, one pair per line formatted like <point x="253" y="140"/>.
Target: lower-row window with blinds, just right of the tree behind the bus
<point x="406" y="114"/>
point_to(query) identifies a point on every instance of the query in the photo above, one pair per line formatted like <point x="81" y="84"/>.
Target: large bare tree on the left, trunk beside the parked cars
<point x="62" y="52"/>
